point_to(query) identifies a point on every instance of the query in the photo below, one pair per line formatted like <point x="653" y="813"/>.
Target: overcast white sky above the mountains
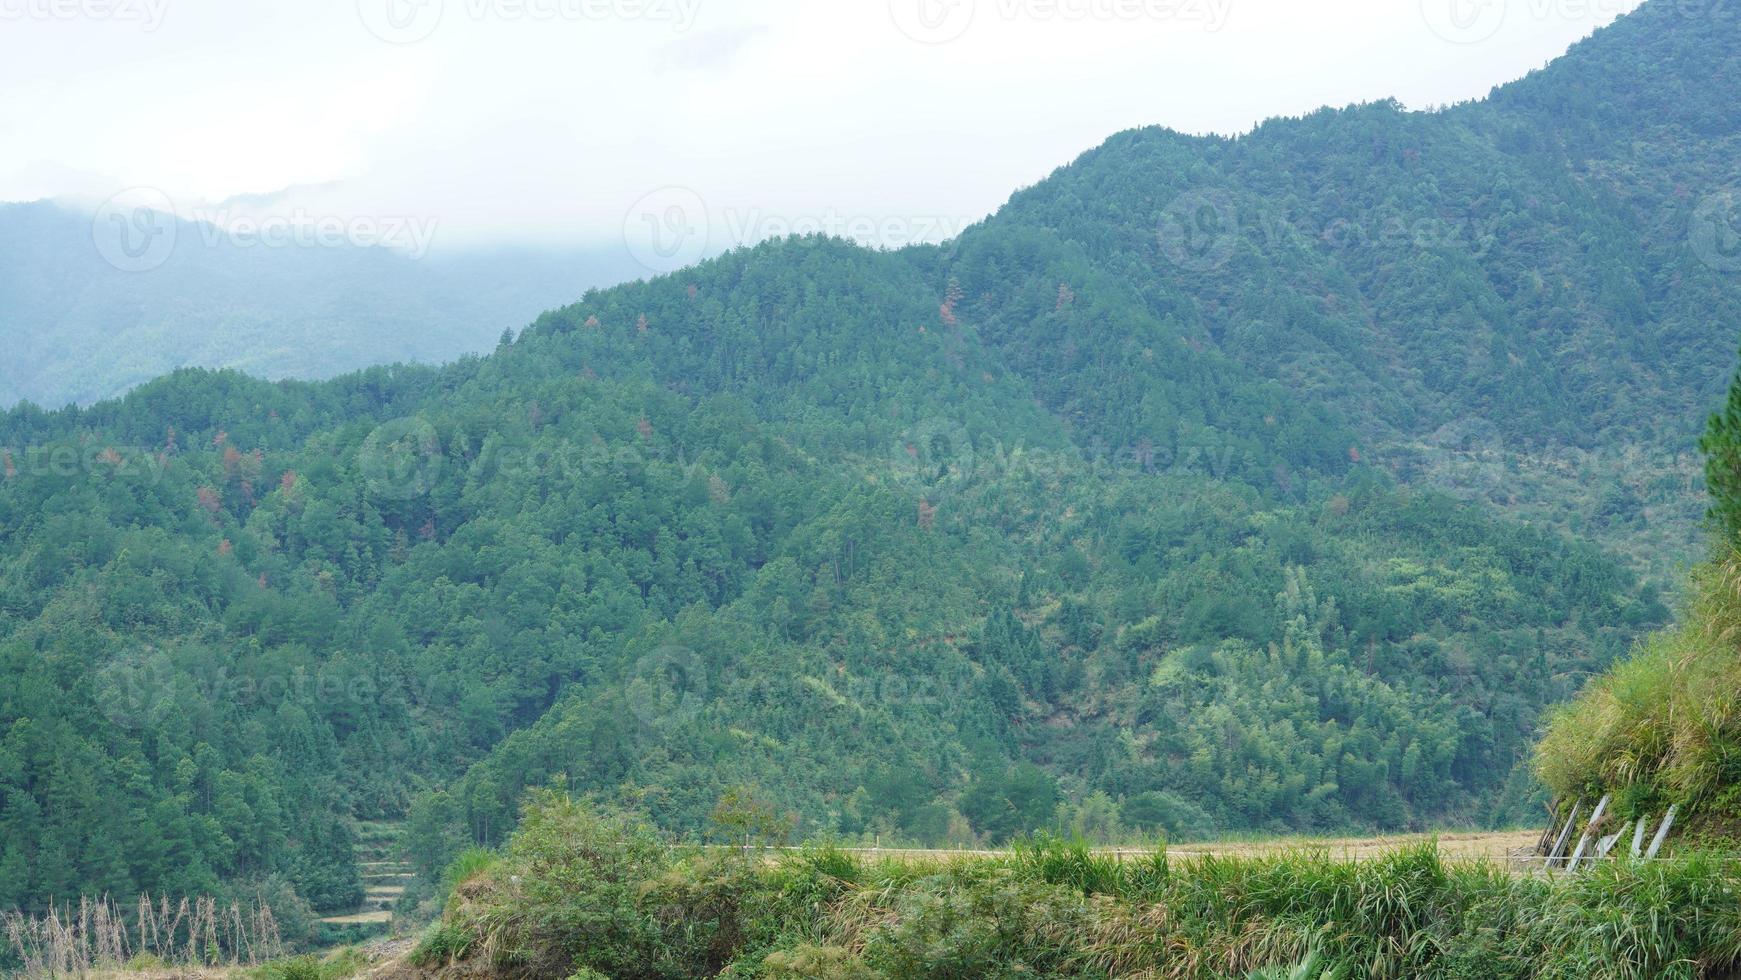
<point x="520" y="121"/>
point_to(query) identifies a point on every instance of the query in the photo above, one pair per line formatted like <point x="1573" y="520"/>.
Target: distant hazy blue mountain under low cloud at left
<point x="79" y="328"/>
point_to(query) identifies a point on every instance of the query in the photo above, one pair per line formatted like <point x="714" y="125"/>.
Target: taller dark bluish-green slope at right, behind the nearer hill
<point x="1495" y="297"/>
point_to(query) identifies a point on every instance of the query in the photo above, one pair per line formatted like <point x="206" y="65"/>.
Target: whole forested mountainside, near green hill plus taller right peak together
<point x="1120" y="513"/>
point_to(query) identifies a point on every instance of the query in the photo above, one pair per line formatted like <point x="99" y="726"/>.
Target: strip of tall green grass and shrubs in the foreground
<point x="588" y="894"/>
